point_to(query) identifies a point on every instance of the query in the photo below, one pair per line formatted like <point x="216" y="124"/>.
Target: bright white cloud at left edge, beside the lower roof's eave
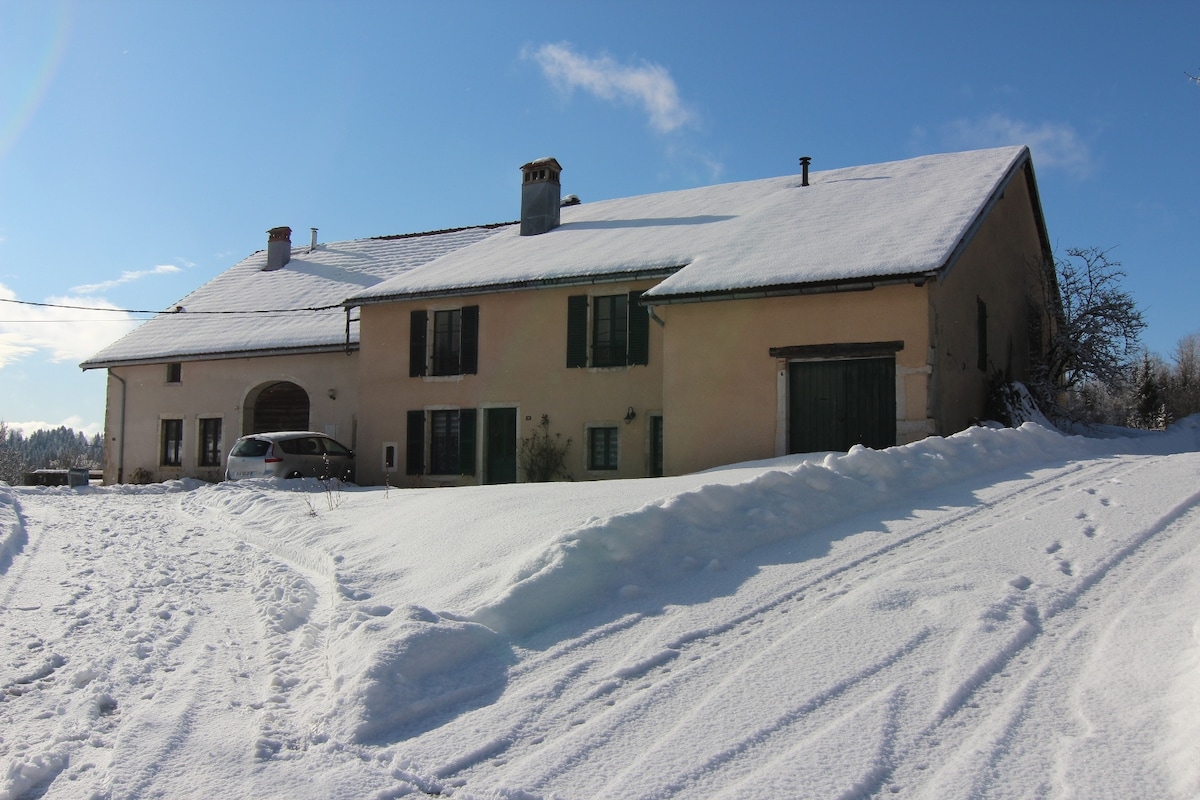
<point x="64" y="334"/>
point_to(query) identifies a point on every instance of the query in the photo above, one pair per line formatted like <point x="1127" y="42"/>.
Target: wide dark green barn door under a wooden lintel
<point x="837" y="405"/>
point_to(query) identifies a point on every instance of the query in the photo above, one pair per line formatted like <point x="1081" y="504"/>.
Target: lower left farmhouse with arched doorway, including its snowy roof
<point x="266" y="346"/>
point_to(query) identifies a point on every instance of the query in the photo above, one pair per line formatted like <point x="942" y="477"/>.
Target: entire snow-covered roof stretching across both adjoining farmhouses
<point x="775" y="236"/>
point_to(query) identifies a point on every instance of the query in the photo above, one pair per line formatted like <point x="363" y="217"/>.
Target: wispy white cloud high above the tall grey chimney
<point x="649" y="86"/>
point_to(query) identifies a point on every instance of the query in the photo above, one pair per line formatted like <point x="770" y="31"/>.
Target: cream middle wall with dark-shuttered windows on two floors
<point x="523" y="364"/>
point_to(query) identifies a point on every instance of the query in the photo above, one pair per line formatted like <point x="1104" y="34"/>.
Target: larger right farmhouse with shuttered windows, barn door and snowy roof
<point x="679" y="332"/>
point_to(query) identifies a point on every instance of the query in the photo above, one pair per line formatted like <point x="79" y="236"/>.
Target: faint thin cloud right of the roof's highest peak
<point x="1055" y="146"/>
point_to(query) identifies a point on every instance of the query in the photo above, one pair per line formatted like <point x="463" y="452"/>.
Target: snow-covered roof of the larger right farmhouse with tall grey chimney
<point x="898" y="219"/>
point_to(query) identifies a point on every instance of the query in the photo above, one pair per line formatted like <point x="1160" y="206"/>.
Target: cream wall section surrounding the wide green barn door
<point x="725" y="396"/>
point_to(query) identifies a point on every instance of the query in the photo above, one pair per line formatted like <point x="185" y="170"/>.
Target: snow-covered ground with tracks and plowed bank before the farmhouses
<point x="1004" y="613"/>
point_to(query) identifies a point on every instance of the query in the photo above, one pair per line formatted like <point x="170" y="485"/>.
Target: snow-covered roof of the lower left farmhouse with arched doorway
<point x="250" y="311"/>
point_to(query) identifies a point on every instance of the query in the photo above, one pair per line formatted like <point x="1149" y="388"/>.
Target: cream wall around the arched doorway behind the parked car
<point x="217" y="389"/>
